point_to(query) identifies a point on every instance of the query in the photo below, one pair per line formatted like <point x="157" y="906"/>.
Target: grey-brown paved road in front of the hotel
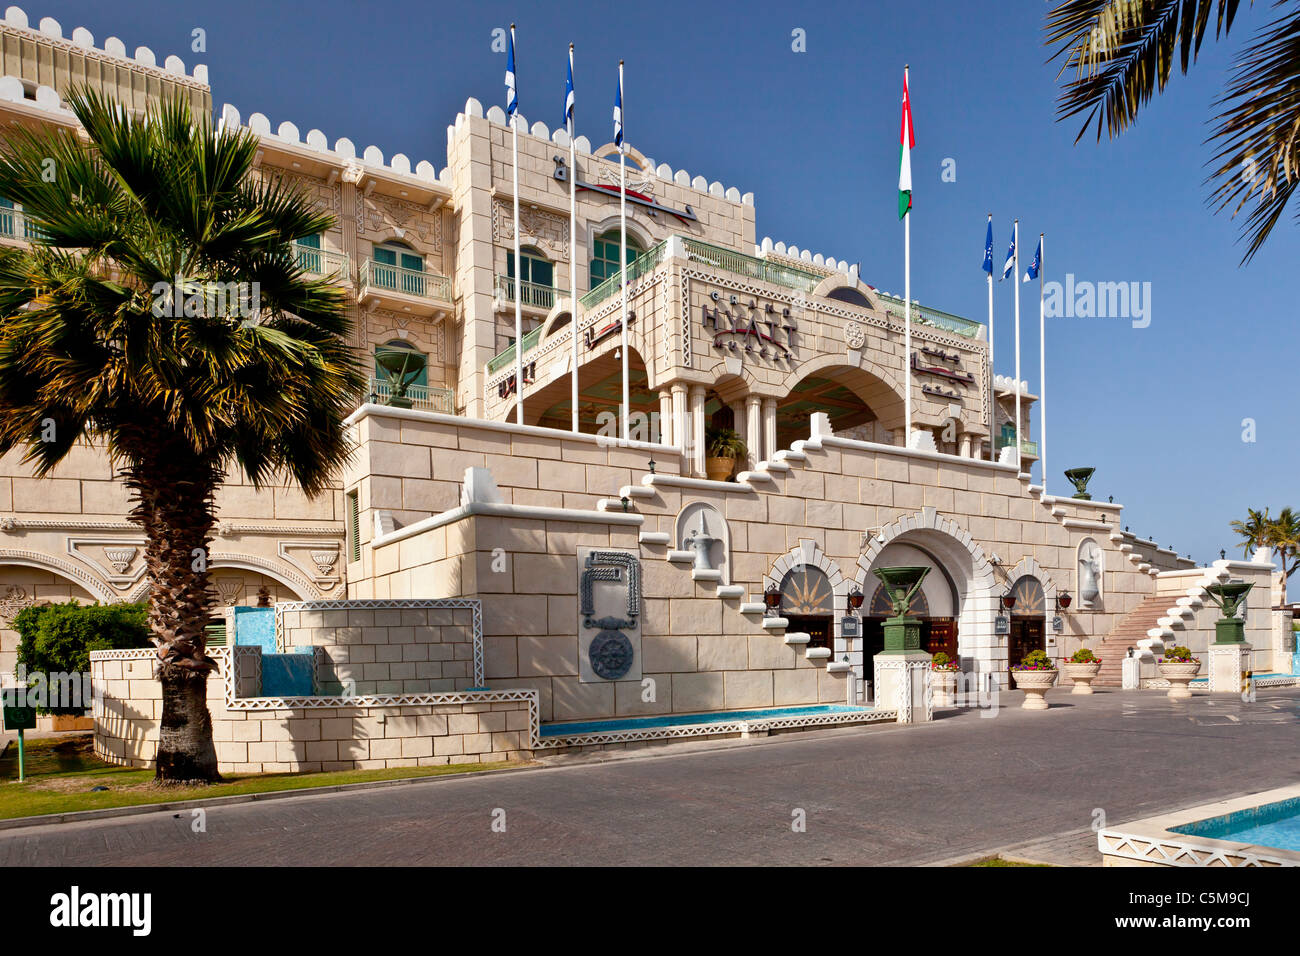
<point x="960" y="786"/>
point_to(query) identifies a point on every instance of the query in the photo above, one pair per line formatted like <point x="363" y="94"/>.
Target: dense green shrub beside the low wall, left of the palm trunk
<point x="58" y="638"/>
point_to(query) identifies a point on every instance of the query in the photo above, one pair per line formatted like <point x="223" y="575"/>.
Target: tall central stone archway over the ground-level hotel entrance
<point x="969" y="572"/>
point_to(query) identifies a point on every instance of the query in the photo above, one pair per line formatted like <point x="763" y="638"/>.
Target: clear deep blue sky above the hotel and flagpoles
<point x="717" y="89"/>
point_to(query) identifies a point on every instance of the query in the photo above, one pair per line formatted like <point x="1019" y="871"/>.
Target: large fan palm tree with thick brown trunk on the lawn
<point x="115" y="330"/>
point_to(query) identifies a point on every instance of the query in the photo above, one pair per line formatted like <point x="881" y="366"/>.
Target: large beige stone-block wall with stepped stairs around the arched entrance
<point x="830" y="503"/>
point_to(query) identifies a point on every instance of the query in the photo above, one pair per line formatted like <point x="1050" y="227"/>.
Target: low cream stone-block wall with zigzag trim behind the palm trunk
<point x="317" y="734"/>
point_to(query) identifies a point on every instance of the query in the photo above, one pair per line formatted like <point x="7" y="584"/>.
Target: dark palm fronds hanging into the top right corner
<point x="1121" y="53"/>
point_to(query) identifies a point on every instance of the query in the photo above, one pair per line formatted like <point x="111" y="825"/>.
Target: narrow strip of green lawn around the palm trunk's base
<point x="63" y="771"/>
